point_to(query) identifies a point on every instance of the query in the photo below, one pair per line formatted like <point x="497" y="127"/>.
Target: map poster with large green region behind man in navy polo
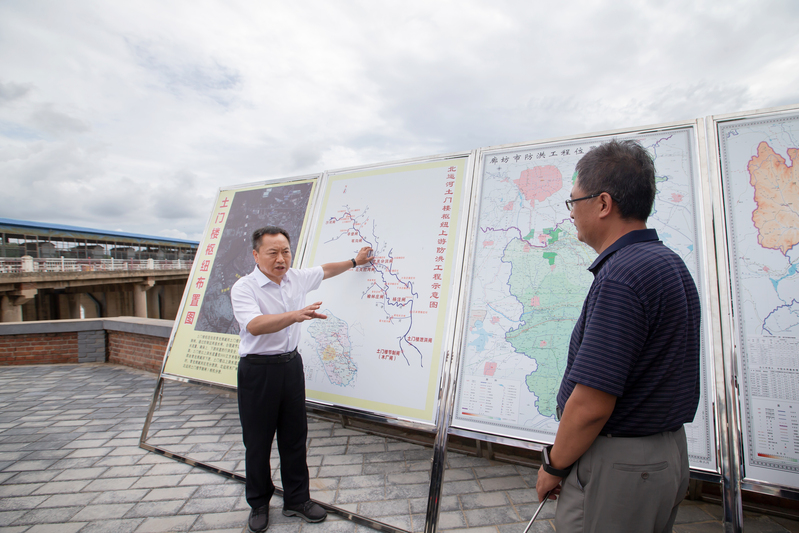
<point x="529" y="278"/>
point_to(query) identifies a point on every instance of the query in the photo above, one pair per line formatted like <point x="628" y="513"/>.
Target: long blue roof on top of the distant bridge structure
<point x="60" y="231"/>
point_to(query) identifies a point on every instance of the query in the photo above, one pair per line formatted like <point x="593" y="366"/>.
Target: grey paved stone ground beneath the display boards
<point x="70" y="462"/>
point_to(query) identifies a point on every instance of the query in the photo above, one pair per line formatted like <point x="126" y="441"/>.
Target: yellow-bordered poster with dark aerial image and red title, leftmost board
<point x="206" y="341"/>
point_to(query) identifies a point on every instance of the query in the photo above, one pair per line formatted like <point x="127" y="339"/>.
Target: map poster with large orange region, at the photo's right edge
<point x="760" y="185"/>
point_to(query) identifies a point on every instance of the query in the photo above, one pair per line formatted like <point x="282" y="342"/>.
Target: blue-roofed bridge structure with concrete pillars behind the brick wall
<point x="50" y="272"/>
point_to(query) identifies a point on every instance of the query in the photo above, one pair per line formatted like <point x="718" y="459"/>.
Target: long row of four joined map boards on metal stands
<point x="391" y="322"/>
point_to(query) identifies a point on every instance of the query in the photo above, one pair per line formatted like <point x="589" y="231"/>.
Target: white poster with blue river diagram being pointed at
<point x="380" y="349"/>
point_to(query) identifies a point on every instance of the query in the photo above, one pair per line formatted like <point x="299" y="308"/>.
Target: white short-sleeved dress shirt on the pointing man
<point x="255" y="295"/>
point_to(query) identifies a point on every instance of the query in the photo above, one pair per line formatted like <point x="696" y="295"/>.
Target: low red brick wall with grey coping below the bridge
<point x="135" y="342"/>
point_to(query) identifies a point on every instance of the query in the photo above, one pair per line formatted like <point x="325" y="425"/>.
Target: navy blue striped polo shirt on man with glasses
<point x="637" y="337"/>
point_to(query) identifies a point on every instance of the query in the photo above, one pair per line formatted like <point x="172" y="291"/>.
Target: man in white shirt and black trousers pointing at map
<point x="269" y="304"/>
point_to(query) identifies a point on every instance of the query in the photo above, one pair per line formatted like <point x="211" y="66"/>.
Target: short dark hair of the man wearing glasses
<point x="626" y="171"/>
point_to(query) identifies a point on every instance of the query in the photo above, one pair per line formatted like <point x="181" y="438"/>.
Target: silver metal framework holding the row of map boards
<point x="726" y="411"/>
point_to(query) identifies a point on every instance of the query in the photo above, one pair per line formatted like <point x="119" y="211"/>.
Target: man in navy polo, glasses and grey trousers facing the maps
<point x="620" y="458"/>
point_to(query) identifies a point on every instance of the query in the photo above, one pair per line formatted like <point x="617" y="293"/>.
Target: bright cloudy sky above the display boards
<point x="129" y="116"/>
